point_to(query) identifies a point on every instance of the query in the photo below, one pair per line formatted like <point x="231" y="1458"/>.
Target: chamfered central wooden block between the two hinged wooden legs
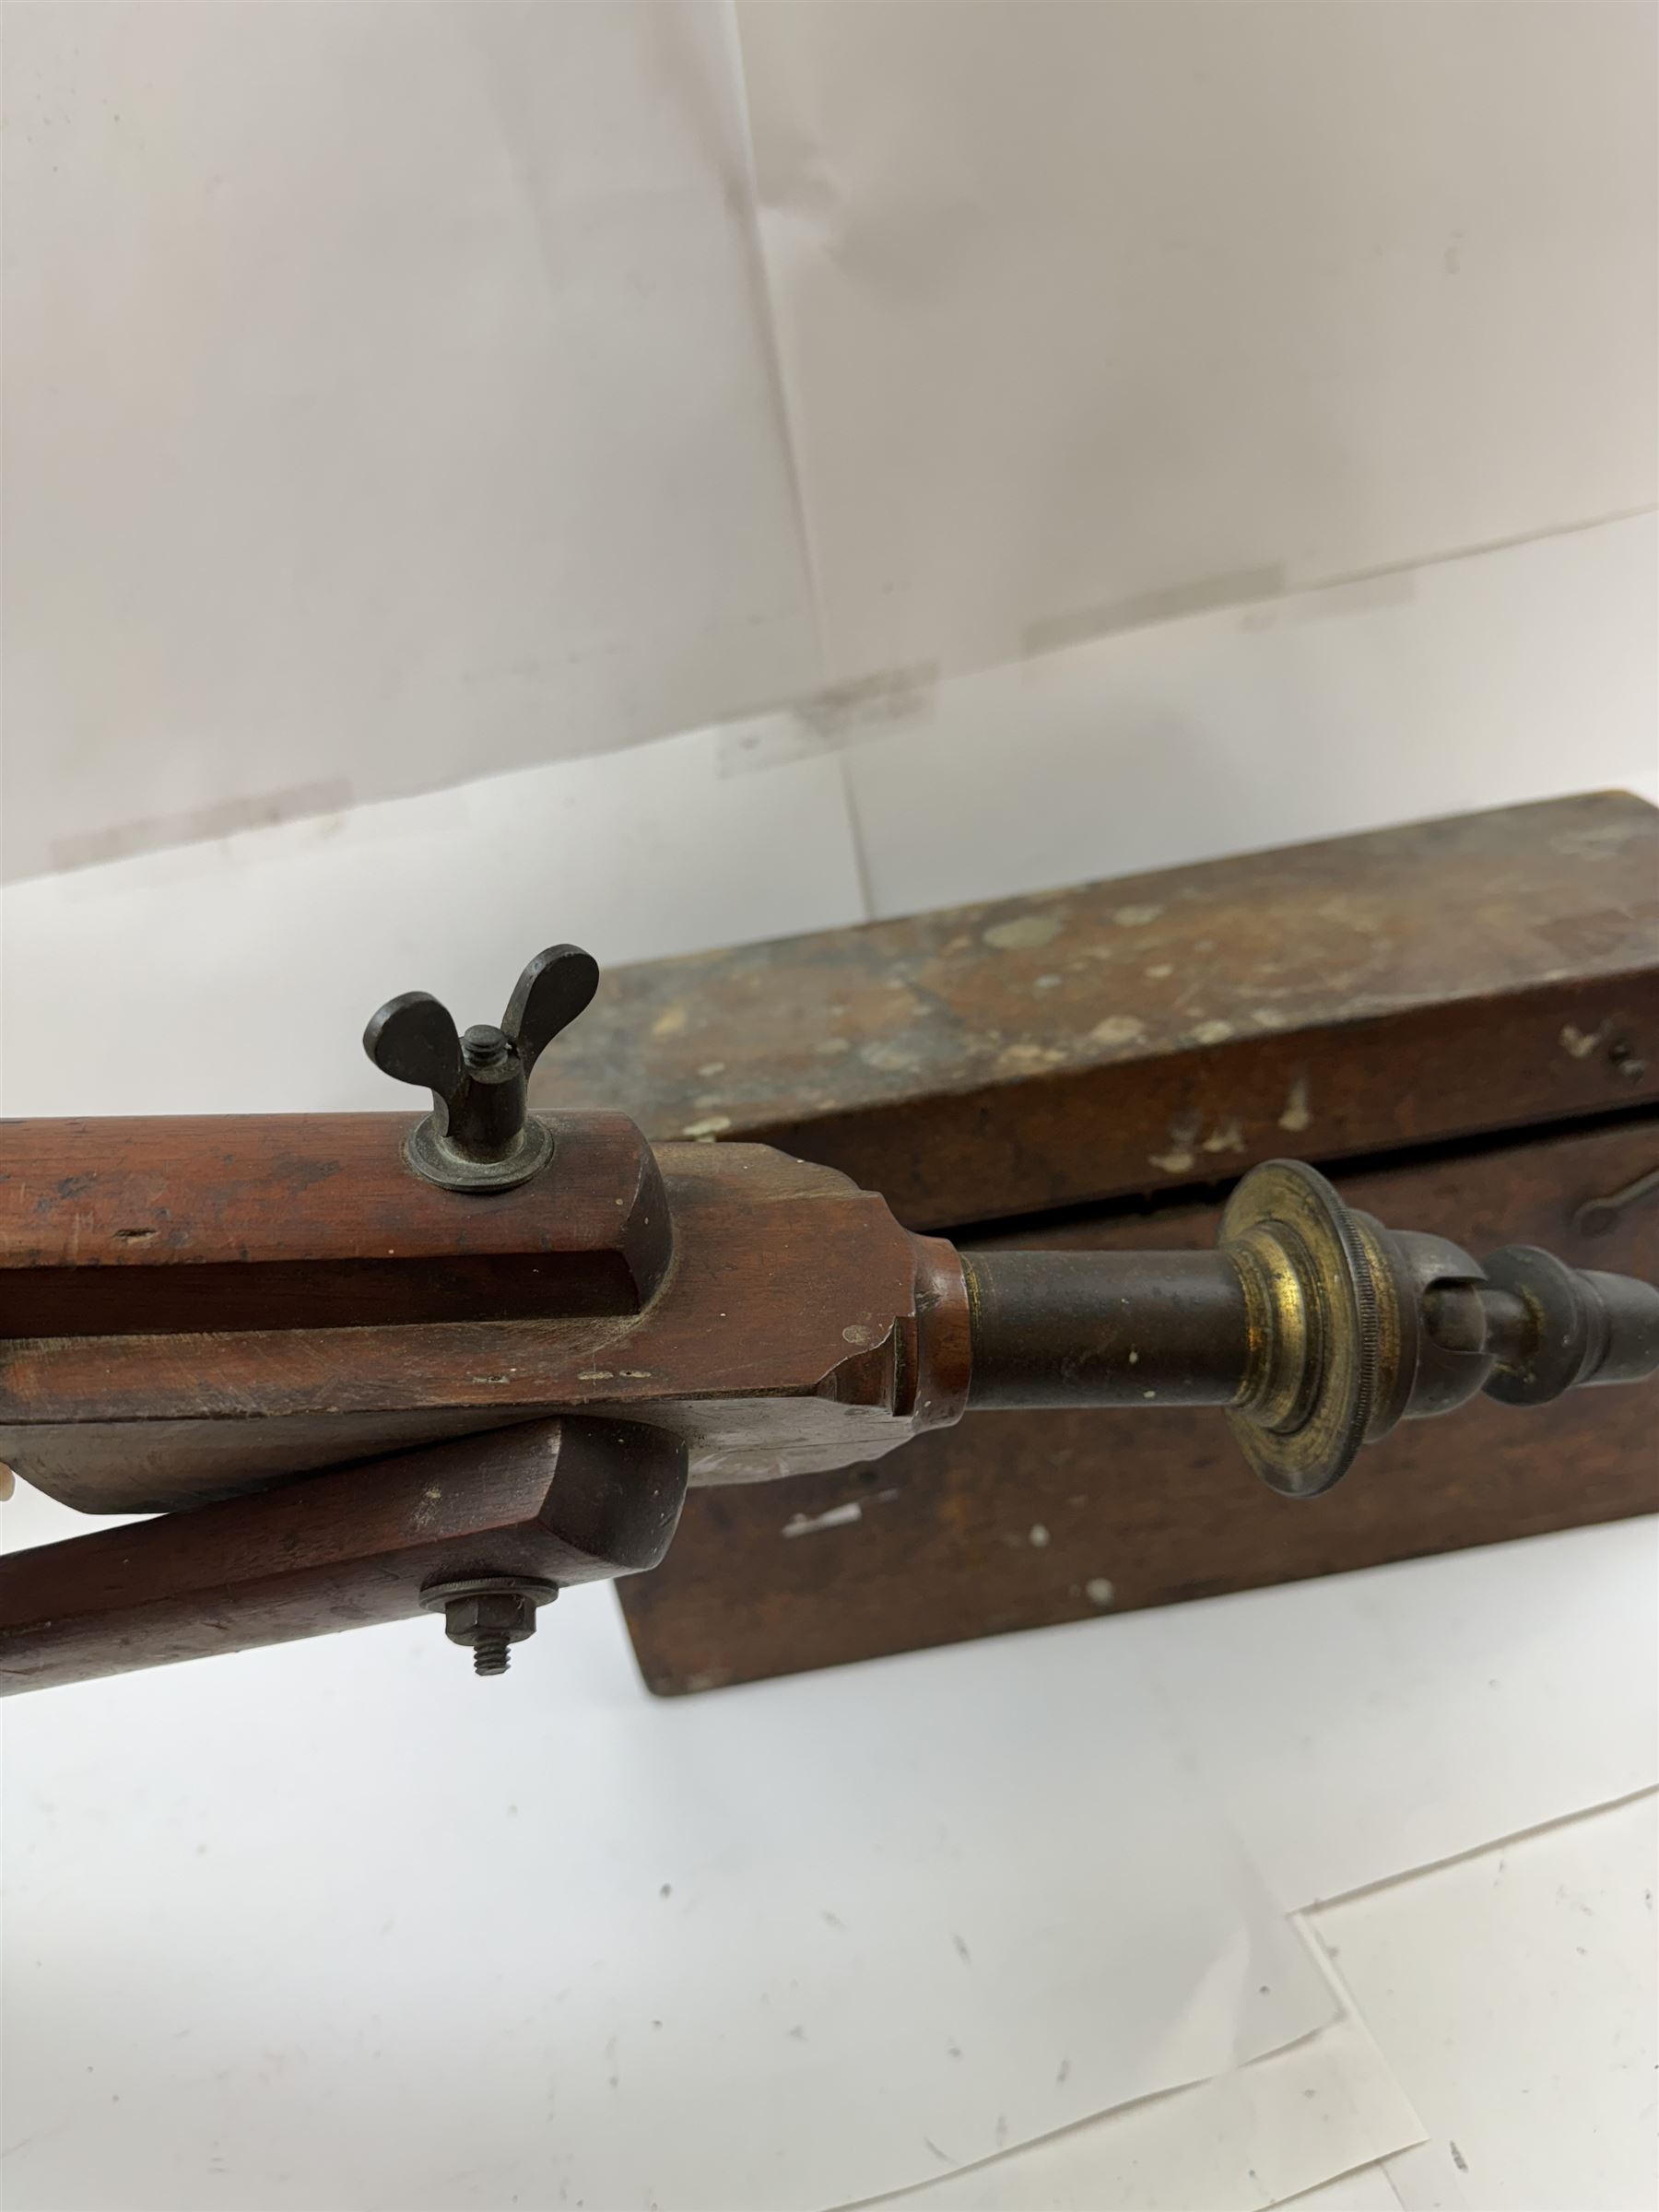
<point x="797" y="1328"/>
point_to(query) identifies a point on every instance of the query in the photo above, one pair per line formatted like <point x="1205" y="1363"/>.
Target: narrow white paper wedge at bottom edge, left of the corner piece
<point x="1242" y="2140"/>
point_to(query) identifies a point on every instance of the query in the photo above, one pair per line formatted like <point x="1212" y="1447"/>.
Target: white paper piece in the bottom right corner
<point x="1516" y="1996"/>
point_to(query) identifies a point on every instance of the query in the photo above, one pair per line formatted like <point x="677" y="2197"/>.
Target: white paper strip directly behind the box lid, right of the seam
<point x="1213" y="733"/>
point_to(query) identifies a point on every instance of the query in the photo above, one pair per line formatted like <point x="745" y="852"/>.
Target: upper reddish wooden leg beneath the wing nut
<point x="267" y="1222"/>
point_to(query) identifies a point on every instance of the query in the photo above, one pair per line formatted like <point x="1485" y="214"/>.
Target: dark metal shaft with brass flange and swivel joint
<point x="1317" y="1328"/>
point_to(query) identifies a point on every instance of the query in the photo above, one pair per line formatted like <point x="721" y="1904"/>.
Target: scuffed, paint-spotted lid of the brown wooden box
<point x="1342" y="999"/>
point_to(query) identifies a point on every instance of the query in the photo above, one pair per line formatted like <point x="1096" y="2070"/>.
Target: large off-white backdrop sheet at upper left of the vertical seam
<point x="446" y="435"/>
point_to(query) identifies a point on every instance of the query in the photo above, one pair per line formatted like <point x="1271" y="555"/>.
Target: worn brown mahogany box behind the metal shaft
<point x="1459" y="1021"/>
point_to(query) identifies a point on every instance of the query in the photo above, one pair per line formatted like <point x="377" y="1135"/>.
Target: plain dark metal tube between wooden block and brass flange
<point x="1107" y="1328"/>
